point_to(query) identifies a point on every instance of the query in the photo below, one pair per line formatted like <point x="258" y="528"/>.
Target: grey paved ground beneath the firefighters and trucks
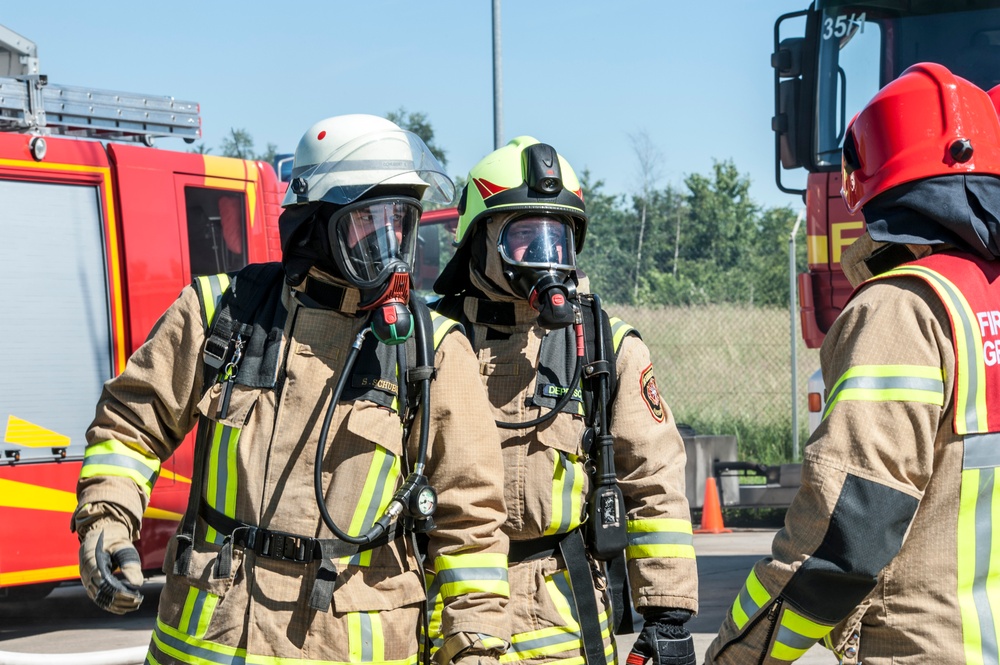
<point x="67" y="622"/>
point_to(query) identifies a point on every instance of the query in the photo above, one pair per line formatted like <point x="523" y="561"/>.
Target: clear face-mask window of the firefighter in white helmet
<point x="374" y="237"/>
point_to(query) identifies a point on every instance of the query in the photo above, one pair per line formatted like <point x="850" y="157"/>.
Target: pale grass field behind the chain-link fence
<point x="726" y="369"/>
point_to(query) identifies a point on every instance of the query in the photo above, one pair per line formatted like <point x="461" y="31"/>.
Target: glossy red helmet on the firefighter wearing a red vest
<point x="926" y="123"/>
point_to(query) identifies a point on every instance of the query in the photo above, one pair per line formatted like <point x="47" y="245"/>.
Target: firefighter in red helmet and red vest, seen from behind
<point x="889" y="549"/>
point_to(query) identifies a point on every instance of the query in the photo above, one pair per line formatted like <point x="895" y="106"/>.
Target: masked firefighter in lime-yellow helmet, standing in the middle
<point x="593" y="461"/>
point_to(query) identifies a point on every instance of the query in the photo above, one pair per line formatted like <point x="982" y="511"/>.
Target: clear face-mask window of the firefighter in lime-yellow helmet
<point x="538" y="241"/>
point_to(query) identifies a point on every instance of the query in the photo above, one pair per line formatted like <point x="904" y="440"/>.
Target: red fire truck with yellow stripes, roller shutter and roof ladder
<point x="99" y="233"/>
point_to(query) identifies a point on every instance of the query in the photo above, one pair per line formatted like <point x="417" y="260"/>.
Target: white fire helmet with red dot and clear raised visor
<point x="339" y="159"/>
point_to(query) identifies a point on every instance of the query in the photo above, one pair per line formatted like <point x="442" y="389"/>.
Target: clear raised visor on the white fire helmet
<point x="396" y="158"/>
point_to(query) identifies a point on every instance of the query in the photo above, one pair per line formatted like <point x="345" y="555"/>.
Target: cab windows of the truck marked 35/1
<point x="864" y="45"/>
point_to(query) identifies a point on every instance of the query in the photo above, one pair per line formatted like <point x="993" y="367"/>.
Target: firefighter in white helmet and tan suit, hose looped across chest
<point x="337" y="420"/>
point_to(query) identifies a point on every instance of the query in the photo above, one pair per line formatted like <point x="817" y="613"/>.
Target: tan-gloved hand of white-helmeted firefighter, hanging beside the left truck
<point x="104" y="546"/>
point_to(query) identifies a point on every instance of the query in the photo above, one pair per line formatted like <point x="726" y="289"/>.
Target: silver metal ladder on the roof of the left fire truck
<point x="28" y="103"/>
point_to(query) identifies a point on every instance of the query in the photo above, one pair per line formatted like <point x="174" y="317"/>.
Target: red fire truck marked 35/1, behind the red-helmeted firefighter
<point x="841" y="53"/>
